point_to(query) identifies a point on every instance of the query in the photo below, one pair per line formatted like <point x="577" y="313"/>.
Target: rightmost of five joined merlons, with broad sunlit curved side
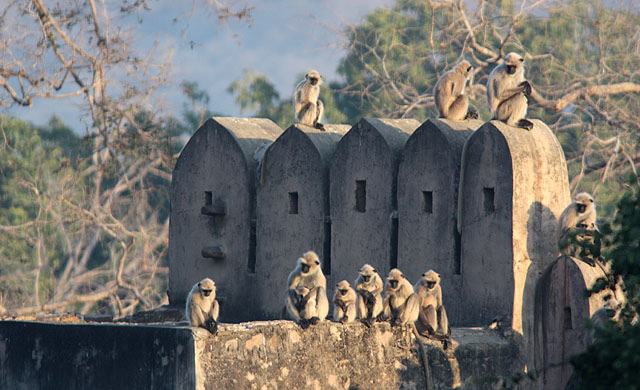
<point x="514" y="186"/>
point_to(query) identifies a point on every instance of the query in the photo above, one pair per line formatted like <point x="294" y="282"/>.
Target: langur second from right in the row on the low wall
<point x="401" y="304"/>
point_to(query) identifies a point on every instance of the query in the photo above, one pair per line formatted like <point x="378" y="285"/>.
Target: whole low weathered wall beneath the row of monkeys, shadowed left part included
<point x="255" y="355"/>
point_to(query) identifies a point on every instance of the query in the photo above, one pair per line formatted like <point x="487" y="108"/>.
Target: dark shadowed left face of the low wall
<point x="71" y="356"/>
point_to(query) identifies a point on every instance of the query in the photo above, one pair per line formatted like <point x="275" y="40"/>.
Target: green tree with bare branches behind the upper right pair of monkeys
<point x="581" y="59"/>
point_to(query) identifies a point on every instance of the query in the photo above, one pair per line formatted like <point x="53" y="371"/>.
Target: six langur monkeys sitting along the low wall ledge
<point x="307" y="304"/>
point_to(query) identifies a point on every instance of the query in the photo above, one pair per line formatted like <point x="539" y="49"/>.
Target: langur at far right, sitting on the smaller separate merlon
<point x="580" y="214"/>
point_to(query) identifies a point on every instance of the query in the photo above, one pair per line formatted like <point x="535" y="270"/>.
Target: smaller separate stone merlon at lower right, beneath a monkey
<point x="562" y="311"/>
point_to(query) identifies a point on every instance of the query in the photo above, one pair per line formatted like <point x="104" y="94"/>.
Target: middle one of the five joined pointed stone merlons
<point x="363" y="196"/>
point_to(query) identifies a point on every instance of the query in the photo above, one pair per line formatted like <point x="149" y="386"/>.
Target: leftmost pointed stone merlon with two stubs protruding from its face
<point x="212" y="208"/>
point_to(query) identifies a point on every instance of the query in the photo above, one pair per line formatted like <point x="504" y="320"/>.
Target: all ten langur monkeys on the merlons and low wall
<point x="306" y="300"/>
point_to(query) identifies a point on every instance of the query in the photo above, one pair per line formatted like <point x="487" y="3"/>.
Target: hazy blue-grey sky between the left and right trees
<point x="285" y="39"/>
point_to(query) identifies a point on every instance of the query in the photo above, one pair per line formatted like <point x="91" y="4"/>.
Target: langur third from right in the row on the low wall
<point x="369" y="290"/>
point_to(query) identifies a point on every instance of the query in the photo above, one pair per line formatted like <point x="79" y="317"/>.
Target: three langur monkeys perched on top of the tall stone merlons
<point x="508" y="94"/>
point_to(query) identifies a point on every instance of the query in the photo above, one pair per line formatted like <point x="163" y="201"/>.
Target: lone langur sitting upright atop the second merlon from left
<point x="308" y="108"/>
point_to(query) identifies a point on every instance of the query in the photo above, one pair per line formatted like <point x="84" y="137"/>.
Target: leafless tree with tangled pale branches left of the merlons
<point x="116" y="201"/>
